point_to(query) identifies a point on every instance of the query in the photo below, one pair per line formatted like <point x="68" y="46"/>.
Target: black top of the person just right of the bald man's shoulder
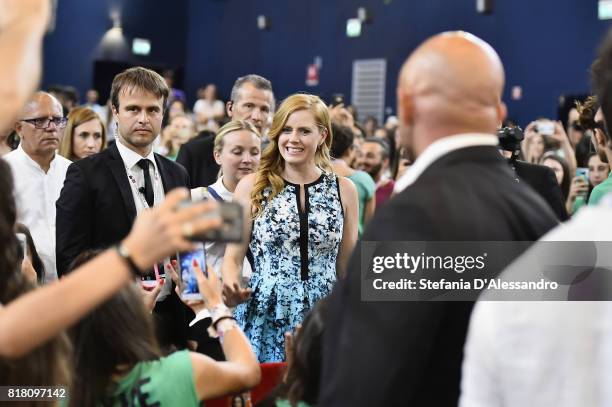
<point x="543" y="180"/>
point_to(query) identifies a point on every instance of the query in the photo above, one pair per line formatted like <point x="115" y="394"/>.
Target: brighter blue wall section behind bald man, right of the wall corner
<point x="547" y="46"/>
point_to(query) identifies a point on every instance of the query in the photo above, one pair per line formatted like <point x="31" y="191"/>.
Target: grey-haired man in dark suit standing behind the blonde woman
<point x="251" y="100"/>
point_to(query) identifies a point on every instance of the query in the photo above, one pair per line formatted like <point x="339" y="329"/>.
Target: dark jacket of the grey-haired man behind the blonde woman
<point x="197" y="157"/>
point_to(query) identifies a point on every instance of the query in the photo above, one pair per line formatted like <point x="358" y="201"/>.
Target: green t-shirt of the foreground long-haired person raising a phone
<point x="160" y="383"/>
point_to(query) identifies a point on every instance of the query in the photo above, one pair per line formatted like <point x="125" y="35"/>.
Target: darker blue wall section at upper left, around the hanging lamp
<point x="69" y="52"/>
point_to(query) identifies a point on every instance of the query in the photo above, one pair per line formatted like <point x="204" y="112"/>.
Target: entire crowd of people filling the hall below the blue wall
<point x="94" y="200"/>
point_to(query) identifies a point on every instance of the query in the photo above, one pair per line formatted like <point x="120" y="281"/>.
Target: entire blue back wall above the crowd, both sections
<point x="547" y="45"/>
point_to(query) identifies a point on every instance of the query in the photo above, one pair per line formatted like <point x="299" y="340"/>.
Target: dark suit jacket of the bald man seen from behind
<point x="410" y="353"/>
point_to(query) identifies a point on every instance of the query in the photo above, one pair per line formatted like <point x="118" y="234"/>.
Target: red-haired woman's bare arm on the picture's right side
<point x="348" y="195"/>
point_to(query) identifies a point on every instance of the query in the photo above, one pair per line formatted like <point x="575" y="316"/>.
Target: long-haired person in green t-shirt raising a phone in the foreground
<point x="118" y="361"/>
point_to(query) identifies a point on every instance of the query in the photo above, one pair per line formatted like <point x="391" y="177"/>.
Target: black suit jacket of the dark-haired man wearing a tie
<point x="96" y="208"/>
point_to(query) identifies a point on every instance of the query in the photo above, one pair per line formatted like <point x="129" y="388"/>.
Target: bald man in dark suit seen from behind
<point x="459" y="189"/>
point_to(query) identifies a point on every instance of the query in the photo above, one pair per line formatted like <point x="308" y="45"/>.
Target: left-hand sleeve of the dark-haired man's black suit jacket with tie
<point x="73" y="211"/>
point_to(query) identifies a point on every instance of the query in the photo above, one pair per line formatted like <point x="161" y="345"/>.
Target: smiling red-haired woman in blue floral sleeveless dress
<point x="304" y="226"/>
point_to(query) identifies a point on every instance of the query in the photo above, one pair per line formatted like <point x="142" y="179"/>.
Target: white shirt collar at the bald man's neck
<point x="439" y="148"/>
